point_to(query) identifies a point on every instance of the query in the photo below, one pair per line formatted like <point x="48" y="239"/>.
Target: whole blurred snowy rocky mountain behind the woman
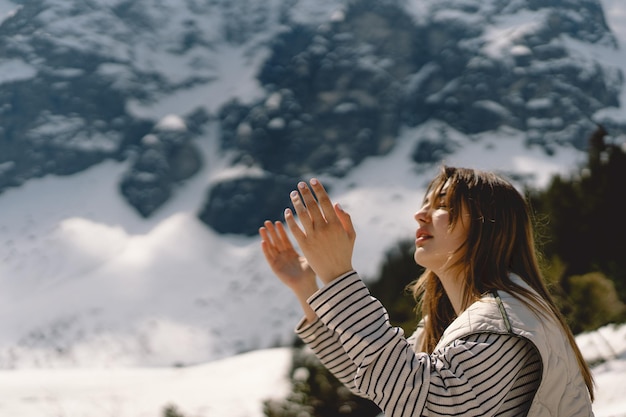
<point x="143" y="142"/>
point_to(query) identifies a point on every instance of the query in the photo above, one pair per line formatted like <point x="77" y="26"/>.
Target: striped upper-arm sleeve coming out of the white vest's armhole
<point x="484" y="374"/>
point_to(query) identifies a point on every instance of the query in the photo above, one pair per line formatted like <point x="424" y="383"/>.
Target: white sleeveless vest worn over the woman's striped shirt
<point x="562" y="392"/>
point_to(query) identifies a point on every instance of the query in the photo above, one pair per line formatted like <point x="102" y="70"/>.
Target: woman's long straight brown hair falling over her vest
<point x="500" y="241"/>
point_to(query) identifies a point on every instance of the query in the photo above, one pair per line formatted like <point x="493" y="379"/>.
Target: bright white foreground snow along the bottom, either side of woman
<point x="231" y="387"/>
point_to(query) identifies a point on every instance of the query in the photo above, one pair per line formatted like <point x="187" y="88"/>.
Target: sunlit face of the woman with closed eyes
<point x="435" y="242"/>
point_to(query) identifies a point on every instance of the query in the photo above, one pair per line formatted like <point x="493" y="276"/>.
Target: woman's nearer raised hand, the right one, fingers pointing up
<point x="327" y="235"/>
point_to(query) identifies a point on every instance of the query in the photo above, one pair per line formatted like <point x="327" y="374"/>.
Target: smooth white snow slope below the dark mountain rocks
<point x="119" y="290"/>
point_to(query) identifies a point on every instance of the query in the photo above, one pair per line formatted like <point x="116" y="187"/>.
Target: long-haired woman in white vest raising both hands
<point x="492" y="342"/>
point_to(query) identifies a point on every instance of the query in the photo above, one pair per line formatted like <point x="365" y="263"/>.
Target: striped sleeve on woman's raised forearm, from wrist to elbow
<point x="387" y="370"/>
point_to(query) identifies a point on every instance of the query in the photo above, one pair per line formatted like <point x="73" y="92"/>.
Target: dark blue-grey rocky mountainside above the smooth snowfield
<point x="335" y="89"/>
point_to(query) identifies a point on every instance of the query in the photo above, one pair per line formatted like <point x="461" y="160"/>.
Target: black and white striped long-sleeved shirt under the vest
<point x="483" y="374"/>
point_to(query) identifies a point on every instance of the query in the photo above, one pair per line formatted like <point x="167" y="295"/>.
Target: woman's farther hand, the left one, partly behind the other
<point x="291" y="268"/>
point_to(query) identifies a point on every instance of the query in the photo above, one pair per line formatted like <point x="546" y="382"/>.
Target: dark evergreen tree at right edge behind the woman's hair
<point x="586" y="222"/>
